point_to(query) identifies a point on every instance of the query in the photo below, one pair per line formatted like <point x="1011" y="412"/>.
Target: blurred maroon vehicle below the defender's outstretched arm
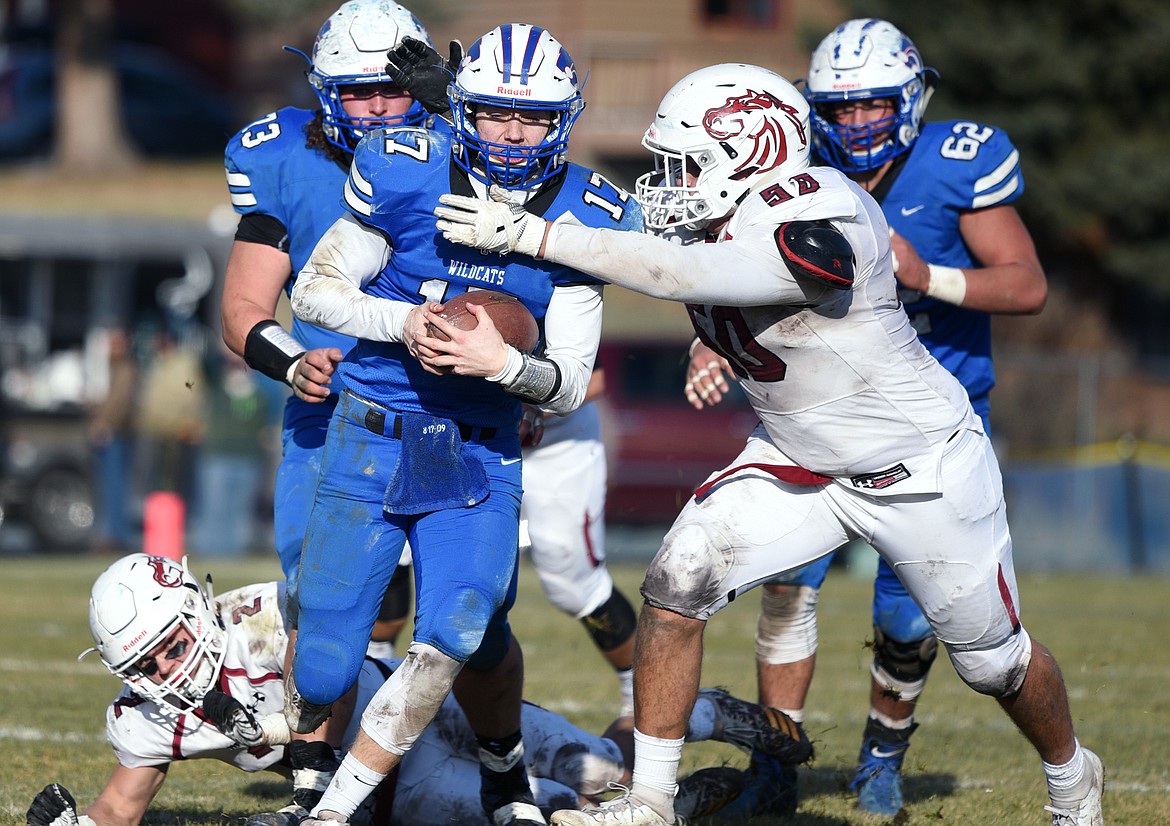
<point x="659" y="448"/>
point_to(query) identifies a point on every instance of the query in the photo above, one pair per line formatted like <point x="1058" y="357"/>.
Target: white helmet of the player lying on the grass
<point x="135" y="605"/>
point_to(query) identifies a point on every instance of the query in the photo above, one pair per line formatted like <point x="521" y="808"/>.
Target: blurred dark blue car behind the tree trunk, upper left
<point x="168" y="111"/>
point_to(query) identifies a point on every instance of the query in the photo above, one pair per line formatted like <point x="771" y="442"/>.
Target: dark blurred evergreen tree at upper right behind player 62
<point x="1082" y="90"/>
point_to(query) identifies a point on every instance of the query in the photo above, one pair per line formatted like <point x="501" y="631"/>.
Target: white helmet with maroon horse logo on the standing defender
<point x="729" y="127"/>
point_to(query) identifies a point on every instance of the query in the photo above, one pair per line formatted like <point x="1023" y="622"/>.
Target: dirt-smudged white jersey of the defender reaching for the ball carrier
<point x="844" y="388"/>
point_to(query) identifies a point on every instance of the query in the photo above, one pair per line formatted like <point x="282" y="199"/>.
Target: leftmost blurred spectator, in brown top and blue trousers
<point x="112" y="437"/>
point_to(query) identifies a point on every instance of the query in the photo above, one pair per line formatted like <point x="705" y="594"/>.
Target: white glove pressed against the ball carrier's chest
<point x="492" y="226"/>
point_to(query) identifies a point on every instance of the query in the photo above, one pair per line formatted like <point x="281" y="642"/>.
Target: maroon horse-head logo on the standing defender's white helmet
<point x="760" y="113"/>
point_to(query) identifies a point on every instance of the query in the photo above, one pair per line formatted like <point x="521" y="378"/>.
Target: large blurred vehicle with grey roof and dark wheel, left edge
<point x="63" y="283"/>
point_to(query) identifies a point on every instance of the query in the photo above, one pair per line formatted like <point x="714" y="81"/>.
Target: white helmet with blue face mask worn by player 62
<point x="863" y="60"/>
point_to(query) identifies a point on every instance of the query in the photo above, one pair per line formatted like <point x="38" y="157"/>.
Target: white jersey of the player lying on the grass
<point x="146" y="734"/>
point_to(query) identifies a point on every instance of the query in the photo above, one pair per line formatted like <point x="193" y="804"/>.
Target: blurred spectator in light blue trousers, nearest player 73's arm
<point x="235" y="459"/>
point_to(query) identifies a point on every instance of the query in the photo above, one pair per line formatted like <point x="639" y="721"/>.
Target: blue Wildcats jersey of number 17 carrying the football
<point x="395" y="185"/>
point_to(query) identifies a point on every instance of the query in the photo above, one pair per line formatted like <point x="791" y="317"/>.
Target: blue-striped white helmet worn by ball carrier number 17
<point x="515" y="66"/>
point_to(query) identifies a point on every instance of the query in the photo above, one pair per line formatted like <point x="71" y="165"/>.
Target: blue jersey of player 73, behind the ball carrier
<point x="272" y="173"/>
